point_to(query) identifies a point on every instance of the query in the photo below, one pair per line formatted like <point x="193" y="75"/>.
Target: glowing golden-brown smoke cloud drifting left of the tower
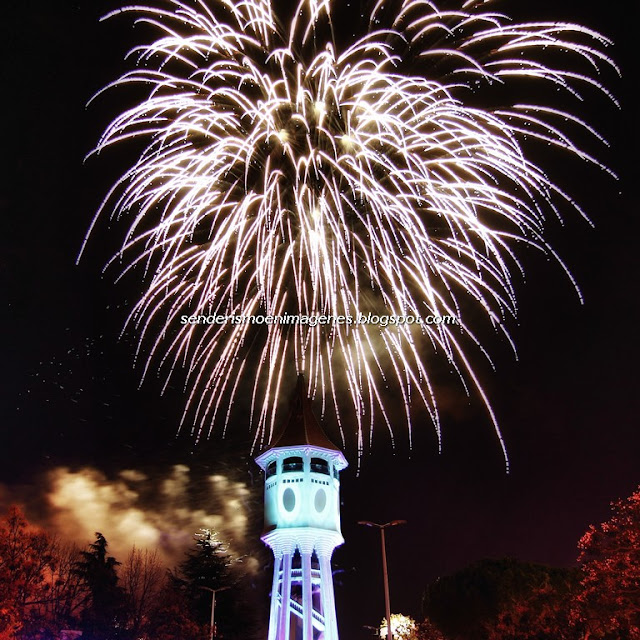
<point x="161" y="512"/>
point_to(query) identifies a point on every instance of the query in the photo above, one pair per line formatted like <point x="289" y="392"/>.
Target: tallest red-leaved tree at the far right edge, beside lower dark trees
<point x="609" y="601"/>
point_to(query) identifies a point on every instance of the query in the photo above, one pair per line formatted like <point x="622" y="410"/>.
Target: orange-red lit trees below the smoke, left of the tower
<point x="46" y="586"/>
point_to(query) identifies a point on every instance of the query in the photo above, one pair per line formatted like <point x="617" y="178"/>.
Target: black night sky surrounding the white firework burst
<point x="568" y="408"/>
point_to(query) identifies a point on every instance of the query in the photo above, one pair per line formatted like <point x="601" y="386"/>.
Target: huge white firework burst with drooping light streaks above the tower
<point x="285" y="173"/>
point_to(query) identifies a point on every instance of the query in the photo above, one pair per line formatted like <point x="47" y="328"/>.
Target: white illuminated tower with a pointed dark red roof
<point x="302" y="525"/>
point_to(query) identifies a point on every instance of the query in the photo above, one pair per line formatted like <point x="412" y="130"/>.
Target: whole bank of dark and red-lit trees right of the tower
<point x="511" y="600"/>
